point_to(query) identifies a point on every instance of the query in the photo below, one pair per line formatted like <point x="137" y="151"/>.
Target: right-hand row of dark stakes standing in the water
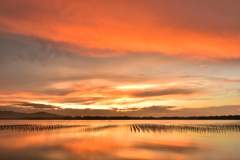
<point x="185" y="128"/>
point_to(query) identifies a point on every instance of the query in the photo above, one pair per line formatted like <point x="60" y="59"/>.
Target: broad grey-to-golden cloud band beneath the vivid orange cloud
<point x="35" y="69"/>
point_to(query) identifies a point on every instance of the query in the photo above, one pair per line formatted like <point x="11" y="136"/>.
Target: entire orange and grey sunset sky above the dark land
<point x="120" y="57"/>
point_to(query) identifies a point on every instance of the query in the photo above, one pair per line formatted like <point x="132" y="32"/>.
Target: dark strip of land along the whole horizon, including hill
<point x="9" y="115"/>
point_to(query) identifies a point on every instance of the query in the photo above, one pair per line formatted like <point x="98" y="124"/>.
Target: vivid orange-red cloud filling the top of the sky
<point x="199" y="29"/>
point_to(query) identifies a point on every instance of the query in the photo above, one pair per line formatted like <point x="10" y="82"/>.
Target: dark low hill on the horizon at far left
<point x="37" y="115"/>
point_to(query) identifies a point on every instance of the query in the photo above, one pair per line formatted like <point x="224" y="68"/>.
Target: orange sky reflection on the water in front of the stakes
<point x="118" y="143"/>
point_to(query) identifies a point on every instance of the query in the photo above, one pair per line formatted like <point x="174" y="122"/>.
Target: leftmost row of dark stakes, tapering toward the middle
<point x="35" y="127"/>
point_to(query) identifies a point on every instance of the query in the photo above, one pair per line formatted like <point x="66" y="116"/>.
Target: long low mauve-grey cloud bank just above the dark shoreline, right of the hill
<point x="155" y="111"/>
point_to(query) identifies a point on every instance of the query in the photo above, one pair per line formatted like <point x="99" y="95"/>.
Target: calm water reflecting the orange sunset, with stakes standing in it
<point x="165" y="140"/>
